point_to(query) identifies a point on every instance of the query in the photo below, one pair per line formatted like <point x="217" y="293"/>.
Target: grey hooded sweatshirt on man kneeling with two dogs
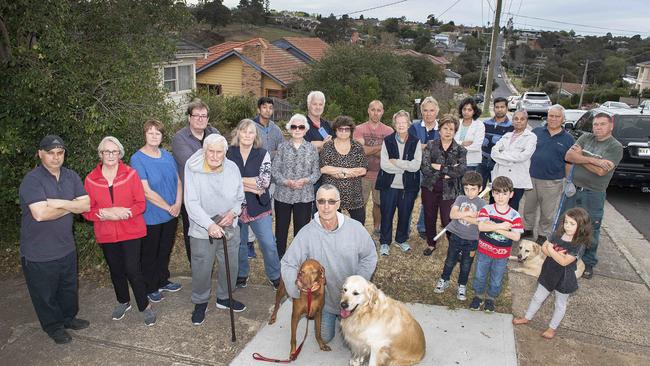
<point x="345" y="251"/>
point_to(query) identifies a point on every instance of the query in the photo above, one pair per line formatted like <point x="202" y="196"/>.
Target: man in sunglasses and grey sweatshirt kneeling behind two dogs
<point x="341" y="245"/>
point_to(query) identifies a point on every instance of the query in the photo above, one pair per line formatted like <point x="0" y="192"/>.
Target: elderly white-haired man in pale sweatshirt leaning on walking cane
<point x="213" y="186"/>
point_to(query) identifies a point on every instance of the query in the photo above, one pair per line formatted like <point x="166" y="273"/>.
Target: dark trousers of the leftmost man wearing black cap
<point x="53" y="289"/>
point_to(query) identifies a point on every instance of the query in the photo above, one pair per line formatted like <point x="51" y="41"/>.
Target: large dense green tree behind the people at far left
<point x="82" y="70"/>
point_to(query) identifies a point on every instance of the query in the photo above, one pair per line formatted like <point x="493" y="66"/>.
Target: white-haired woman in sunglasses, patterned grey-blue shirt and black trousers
<point x="295" y="169"/>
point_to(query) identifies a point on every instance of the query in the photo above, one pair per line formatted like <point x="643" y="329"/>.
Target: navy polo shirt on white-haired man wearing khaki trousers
<point x="547" y="162"/>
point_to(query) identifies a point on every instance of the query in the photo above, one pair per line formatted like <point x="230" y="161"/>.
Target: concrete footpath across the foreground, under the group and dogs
<point x="607" y="323"/>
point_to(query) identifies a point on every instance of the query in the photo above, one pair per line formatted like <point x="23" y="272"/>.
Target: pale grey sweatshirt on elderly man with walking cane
<point x="209" y="193"/>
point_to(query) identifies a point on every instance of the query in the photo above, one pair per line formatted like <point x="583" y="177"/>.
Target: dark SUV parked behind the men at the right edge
<point x="632" y="130"/>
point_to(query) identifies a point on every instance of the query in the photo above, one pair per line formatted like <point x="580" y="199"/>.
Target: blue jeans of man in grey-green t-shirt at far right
<point x="594" y="203"/>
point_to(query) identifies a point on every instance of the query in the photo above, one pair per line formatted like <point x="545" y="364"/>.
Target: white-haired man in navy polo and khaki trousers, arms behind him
<point x="547" y="171"/>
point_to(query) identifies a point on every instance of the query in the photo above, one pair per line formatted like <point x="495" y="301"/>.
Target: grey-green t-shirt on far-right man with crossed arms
<point x="609" y="149"/>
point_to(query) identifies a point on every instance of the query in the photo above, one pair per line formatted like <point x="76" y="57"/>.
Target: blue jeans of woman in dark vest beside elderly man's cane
<point x="263" y="229"/>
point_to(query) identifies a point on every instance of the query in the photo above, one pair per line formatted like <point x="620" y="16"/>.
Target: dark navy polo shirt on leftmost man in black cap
<point x="53" y="239"/>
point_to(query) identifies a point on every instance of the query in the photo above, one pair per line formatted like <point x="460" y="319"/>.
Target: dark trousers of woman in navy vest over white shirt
<point x="395" y="199"/>
